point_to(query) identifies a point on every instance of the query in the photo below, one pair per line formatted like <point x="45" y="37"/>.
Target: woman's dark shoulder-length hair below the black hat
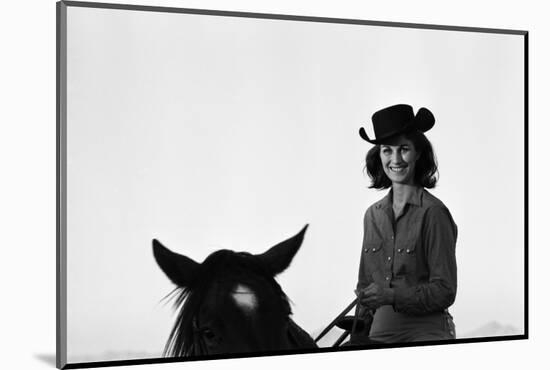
<point x="426" y="173"/>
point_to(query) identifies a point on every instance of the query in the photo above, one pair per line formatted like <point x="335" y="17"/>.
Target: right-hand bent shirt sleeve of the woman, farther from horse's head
<point x="439" y="237"/>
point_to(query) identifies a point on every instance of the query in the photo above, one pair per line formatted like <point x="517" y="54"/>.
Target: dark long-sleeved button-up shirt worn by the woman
<point x="414" y="255"/>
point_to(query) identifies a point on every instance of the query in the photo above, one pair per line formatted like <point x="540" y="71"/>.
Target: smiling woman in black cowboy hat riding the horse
<point x="407" y="274"/>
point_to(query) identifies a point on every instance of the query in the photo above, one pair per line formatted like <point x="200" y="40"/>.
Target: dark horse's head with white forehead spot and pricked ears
<point x="231" y="303"/>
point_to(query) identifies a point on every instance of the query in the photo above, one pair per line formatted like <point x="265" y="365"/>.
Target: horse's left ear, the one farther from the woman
<point x="180" y="269"/>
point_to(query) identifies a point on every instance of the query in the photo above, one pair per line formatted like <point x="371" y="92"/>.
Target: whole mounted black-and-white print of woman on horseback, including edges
<point x="242" y="184"/>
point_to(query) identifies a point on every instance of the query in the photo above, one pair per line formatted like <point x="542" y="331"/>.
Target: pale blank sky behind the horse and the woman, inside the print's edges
<point x="212" y="132"/>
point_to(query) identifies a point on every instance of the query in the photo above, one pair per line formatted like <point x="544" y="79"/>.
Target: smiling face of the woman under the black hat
<point x="399" y="158"/>
